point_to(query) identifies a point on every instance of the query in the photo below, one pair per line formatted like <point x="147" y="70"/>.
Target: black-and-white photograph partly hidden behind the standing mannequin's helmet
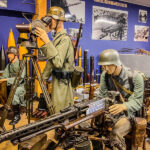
<point x="72" y="8"/>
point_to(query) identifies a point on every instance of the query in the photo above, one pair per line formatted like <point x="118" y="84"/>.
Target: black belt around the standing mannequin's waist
<point x="62" y="74"/>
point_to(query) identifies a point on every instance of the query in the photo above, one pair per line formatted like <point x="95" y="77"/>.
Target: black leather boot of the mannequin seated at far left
<point x="16" y="115"/>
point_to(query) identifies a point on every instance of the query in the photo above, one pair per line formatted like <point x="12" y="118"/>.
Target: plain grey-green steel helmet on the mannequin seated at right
<point x="109" y="57"/>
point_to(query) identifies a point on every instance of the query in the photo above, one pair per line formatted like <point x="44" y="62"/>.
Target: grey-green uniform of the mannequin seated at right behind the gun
<point x="133" y="102"/>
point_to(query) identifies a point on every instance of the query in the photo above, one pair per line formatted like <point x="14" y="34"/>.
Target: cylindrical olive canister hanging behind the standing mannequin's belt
<point x="76" y="76"/>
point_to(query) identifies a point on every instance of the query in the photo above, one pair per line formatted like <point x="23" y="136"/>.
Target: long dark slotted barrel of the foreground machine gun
<point x="47" y="124"/>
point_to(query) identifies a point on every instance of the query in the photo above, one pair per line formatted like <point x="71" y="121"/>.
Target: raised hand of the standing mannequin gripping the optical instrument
<point x="42" y="35"/>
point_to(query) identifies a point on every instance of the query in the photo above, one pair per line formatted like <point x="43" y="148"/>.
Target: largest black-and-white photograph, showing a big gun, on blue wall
<point x="109" y="24"/>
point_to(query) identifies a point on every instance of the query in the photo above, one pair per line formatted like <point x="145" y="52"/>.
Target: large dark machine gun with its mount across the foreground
<point x="69" y="123"/>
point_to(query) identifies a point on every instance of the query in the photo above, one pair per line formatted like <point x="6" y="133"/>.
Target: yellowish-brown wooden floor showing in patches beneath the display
<point x="9" y="146"/>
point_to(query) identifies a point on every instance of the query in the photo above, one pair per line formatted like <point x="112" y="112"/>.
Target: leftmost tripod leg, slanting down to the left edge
<point x="12" y="92"/>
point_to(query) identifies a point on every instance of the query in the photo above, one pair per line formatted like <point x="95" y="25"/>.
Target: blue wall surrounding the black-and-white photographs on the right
<point x="94" y="47"/>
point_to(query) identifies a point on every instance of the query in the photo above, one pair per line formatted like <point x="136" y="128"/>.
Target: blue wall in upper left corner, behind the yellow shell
<point x="12" y="15"/>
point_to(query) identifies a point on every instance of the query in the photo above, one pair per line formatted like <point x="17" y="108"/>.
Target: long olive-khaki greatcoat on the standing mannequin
<point x="60" y="56"/>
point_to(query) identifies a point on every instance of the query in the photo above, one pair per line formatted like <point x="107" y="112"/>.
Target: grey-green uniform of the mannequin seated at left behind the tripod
<point x="10" y="73"/>
